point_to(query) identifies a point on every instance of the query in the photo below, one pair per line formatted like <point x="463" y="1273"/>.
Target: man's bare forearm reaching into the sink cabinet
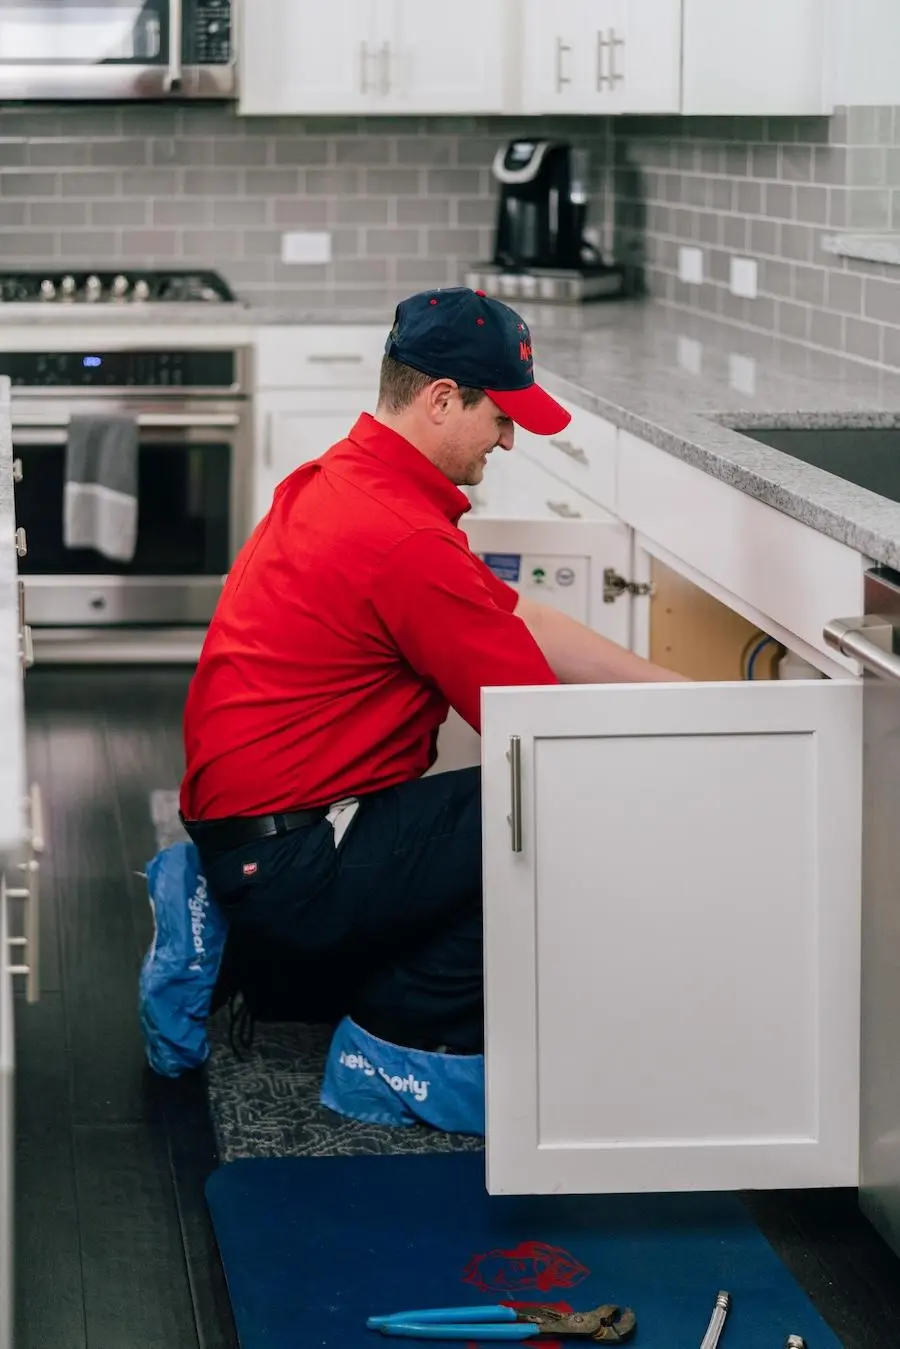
<point x="581" y="656"/>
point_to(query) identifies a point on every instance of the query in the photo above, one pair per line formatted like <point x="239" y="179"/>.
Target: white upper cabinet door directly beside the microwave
<point x="298" y="56"/>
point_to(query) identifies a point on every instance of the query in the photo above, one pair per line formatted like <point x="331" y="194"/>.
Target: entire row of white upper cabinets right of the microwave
<point x="535" y="57"/>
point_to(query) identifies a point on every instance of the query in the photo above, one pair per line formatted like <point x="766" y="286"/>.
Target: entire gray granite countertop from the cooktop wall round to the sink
<point x="683" y="382"/>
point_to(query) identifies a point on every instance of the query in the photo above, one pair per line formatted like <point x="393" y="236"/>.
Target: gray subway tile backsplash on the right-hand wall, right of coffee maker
<point x="791" y="183"/>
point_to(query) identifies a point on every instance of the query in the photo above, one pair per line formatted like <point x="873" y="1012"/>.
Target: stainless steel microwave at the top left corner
<point x="117" y="49"/>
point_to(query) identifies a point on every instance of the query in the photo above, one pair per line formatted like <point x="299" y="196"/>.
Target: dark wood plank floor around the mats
<point x="115" y="1248"/>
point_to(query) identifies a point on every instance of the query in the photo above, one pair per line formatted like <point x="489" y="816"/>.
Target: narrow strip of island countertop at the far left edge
<point x="13" y="788"/>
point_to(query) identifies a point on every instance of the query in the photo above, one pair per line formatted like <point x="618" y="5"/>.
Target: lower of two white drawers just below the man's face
<point x="516" y="488"/>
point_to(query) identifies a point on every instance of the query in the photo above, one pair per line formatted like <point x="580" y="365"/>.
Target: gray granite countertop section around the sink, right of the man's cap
<point x="685" y="382"/>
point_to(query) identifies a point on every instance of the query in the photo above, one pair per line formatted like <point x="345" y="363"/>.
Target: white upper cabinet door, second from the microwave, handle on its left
<point x="463" y="67"/>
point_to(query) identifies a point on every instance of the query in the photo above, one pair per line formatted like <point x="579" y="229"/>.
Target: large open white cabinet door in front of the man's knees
<point x="673" y="957"/>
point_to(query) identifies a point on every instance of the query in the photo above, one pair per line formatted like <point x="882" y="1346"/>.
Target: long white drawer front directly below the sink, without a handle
<point x="774" y="565"/>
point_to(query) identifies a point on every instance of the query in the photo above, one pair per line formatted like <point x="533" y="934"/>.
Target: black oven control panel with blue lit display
<point x="121" y="369"/>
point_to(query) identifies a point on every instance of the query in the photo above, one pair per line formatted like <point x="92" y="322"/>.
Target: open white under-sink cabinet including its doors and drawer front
<point x="673" y="872"/>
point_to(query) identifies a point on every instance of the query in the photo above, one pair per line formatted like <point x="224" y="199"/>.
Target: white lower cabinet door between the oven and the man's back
<point x="292" y="430"/>
